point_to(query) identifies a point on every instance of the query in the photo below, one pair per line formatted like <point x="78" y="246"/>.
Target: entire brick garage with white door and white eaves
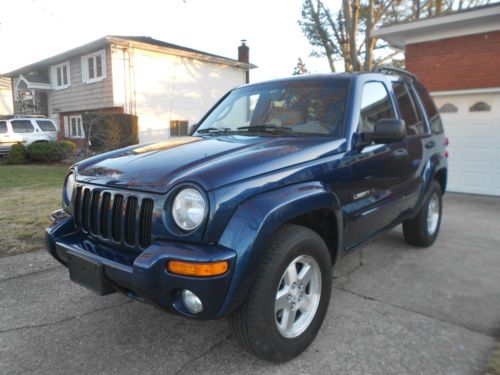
<point x="456" y="57"/>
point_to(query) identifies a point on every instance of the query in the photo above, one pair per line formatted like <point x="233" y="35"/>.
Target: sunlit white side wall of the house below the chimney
<point x="160" y="88"/>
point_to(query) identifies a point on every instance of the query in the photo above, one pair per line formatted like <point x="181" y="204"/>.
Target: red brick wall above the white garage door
<point x="465" y="62"/>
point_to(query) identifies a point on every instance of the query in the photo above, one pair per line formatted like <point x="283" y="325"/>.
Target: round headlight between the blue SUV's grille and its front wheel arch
<point x="188" y="209"/>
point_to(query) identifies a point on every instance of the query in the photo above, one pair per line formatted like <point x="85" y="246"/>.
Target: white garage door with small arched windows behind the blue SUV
<point x="473" y="131"/>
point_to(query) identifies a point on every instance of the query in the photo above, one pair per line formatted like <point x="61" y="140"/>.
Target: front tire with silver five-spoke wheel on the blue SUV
<point x="289" y="299"/>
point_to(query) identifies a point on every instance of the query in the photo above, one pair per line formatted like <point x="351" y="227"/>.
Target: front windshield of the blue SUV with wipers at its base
<point x="292" y="108"/>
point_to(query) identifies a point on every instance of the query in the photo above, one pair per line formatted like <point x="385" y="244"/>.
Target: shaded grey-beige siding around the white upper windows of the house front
<point x="80" y="96"/>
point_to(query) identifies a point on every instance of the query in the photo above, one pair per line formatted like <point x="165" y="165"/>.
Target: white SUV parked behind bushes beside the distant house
<point x="26" y="130"/>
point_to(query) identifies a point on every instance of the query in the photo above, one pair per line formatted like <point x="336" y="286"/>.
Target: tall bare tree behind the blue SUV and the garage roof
<point x="347" y="34"/>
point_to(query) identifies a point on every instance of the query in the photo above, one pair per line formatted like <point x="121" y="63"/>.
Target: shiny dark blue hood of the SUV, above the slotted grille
<point x="209" y="162"/>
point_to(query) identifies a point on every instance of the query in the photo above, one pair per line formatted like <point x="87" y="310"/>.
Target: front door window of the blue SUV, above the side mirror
<point x="375" y="105"/>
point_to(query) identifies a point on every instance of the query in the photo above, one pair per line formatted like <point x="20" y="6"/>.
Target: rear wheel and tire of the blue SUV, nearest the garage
<point x="423" y="230"/>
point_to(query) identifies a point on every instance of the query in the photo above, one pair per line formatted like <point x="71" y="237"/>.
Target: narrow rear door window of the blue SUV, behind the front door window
<point x="408" y="109"/>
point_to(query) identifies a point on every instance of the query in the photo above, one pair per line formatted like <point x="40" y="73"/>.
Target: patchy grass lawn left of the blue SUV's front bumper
<point x="28" y="194"/>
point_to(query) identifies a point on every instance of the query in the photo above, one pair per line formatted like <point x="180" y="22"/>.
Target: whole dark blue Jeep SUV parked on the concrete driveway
<point x="246" y="217"/>
